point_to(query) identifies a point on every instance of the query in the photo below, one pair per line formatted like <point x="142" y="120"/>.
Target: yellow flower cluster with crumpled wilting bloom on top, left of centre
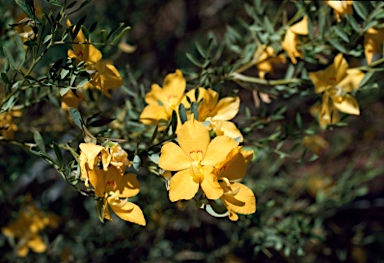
<point x="104" y="168"/>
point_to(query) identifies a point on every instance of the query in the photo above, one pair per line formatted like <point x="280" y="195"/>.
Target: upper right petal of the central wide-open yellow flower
<point x="218" y="150"/>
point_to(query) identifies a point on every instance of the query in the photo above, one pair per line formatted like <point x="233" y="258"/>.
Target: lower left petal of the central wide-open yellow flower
<point x="182" y="186"/>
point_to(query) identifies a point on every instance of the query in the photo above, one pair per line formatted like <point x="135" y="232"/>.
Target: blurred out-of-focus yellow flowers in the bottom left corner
<point x="23" y="234"/>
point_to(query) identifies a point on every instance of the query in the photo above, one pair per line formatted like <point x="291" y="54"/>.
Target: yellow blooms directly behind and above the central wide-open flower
<point x="217" y="113"/>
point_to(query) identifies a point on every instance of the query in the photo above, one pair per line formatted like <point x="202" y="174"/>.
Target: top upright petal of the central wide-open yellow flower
<point x="193" y="136"/>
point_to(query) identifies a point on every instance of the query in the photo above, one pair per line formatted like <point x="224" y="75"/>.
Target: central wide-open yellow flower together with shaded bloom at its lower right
<point x="214" y="166"/>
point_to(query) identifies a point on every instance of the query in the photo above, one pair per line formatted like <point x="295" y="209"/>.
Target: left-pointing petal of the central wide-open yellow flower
<point x="173" y="158"/>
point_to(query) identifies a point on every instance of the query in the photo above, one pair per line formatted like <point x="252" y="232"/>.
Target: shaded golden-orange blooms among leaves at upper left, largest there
<point x="104" y="75"/>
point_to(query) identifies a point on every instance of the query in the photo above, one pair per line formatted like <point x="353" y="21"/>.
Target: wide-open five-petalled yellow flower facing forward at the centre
<point x="194" y="159"/>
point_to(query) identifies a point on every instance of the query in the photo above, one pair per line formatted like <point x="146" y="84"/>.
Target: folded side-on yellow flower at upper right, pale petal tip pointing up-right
<point x="291" y="38"/>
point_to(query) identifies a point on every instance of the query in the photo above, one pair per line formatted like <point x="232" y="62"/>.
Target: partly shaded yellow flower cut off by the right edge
<point x="373" y="42"/>
